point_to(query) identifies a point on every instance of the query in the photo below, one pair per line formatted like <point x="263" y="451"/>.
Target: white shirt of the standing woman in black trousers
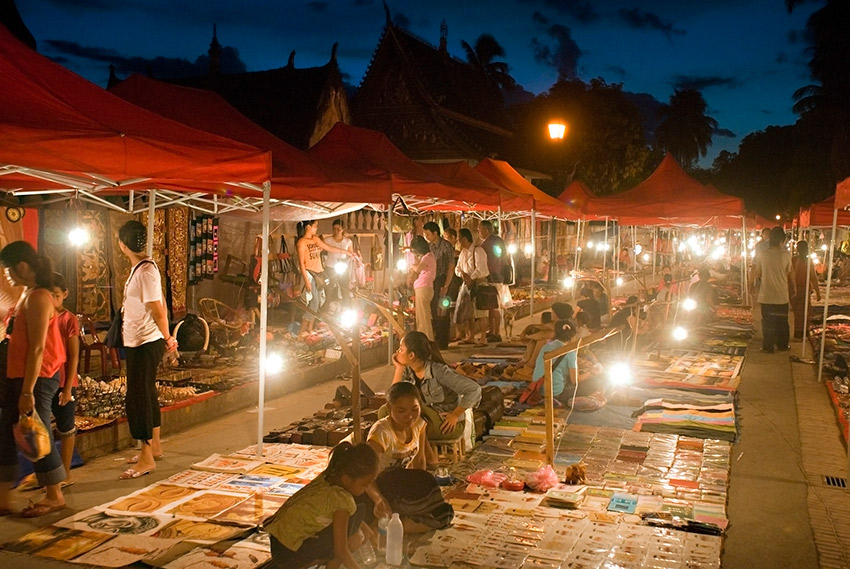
<point x="143" y="286"/>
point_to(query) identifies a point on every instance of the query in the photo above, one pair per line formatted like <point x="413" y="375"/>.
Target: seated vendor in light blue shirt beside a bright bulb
<point x="581" y="391"/>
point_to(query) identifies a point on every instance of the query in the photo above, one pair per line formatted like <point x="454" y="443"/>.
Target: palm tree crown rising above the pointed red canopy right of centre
<point x="685" y="130"/>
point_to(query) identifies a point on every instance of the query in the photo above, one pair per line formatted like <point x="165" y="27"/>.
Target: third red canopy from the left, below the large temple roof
<point x="372" y="154"/>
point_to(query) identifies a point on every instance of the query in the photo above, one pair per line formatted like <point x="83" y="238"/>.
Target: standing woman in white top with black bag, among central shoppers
<point x="472" y="268"/>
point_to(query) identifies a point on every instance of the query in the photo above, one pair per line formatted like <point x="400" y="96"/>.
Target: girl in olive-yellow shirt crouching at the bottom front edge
<point x="319" y="521"/>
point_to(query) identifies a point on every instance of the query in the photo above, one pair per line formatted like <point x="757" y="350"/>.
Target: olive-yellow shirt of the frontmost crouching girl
<point x="309" y="511"/>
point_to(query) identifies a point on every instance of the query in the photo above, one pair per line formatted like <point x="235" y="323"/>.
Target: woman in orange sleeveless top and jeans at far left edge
<point x="35" y="355"/>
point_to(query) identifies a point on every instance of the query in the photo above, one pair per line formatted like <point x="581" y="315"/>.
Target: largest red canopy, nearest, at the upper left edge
<point x="60" y="130"/>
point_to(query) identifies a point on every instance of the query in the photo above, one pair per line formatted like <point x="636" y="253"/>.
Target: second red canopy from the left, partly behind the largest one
<point x="295" y="175"/>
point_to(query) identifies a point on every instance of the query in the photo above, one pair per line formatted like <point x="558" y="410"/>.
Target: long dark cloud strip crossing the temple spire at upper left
<point x="163" y="67"/>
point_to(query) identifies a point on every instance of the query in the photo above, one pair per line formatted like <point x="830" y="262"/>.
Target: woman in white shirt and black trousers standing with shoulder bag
<point x="146" y="339"/>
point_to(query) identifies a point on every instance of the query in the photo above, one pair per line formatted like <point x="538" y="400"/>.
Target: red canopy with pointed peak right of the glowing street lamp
<point x="668" y="195"/>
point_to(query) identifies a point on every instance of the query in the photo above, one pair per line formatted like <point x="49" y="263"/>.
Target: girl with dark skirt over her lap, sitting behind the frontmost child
<point x="403" y="483"/>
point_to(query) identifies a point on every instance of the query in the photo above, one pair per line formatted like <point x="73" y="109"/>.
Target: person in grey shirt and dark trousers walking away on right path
<point x="773" y="270"/>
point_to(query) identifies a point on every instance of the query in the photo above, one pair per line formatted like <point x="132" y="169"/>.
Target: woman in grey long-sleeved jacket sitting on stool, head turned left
<point x="449" y="397"/>
